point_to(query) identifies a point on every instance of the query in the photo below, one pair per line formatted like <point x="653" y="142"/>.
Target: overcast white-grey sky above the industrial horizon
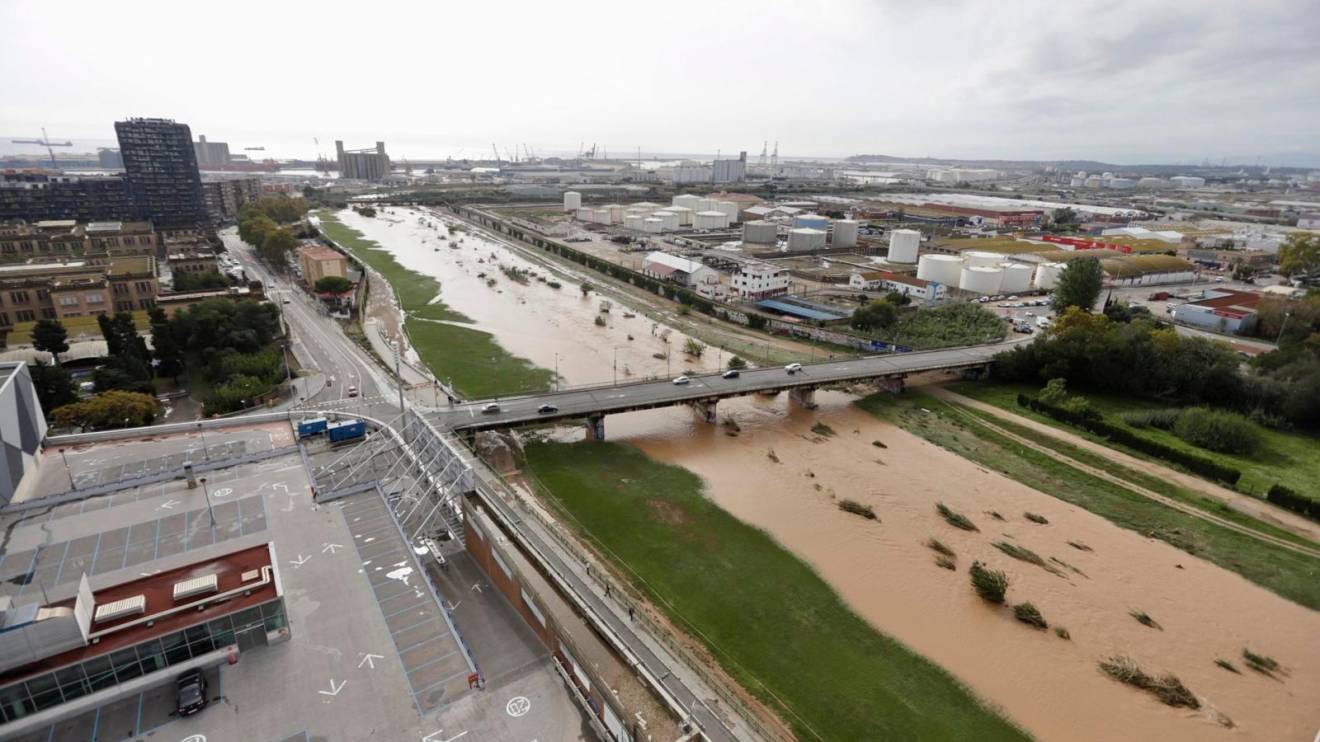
<point x="1119" y="81"/>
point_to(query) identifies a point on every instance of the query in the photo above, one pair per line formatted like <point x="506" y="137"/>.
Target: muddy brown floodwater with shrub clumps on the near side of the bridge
<point x="886" y="574"/>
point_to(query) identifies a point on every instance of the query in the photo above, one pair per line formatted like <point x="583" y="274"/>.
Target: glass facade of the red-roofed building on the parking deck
<point x="98" y="674"/>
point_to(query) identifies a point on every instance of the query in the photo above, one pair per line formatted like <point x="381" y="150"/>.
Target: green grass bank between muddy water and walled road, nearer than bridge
<point x="838" y="679"/>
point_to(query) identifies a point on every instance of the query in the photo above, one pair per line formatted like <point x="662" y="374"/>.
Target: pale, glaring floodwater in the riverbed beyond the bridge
<point x="548" y="327"/>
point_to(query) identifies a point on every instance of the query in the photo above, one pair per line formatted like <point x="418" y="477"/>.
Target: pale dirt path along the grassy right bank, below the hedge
<point x="1255" y="510"/>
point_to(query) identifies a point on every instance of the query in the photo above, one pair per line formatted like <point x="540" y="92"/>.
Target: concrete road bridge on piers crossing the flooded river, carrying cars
<point x="704" y="391"/>
